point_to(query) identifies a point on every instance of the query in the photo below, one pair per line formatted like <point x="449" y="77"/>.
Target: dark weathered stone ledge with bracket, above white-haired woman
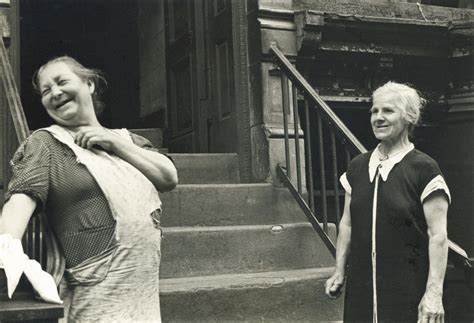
<point x="353" y="33"/>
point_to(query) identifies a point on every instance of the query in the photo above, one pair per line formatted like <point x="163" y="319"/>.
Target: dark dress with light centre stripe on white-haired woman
<point x="402" y="261"/>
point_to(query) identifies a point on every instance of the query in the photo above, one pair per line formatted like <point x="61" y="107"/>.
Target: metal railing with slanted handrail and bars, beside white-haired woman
<point x="324" y="113"/>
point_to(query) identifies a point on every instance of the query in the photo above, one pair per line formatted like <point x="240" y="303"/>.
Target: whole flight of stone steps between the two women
<point x="239" y="252"/>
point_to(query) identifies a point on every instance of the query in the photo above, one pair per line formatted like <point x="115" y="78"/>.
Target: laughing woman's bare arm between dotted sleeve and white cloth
<point x="16" y="214"/>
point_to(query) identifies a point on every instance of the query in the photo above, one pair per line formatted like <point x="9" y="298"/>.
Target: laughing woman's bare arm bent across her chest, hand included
<point x="158" y="168"/>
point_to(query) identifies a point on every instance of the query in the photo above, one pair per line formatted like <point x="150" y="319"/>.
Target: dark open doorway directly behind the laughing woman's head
<point x="99" y="34"/>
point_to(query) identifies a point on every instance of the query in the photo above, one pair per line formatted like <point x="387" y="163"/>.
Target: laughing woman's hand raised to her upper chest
<point x="87" y="137"/>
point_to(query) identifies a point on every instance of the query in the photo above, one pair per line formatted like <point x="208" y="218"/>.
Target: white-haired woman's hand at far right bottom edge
<point x="431" y="306"/>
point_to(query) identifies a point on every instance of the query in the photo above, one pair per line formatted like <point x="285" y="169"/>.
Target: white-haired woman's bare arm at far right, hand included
<point x="435" y="208"/>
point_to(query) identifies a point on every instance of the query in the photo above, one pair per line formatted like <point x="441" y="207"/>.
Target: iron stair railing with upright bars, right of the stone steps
<point x="299" y="97"/>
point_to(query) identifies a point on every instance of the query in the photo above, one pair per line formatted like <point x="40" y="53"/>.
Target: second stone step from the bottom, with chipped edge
<point x="200" y="251"/>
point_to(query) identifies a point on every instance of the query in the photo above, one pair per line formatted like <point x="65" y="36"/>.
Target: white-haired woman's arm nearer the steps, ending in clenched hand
<point x="334" y="284"/>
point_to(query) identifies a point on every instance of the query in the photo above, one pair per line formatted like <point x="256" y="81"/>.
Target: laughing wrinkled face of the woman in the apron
<point x="66" y="97"/>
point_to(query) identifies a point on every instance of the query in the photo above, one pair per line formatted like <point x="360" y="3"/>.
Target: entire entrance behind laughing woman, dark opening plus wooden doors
<point x="168" y="64"/>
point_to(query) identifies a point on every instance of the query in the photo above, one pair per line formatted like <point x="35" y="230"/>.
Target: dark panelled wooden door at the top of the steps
<point x="200" y="76"/>
